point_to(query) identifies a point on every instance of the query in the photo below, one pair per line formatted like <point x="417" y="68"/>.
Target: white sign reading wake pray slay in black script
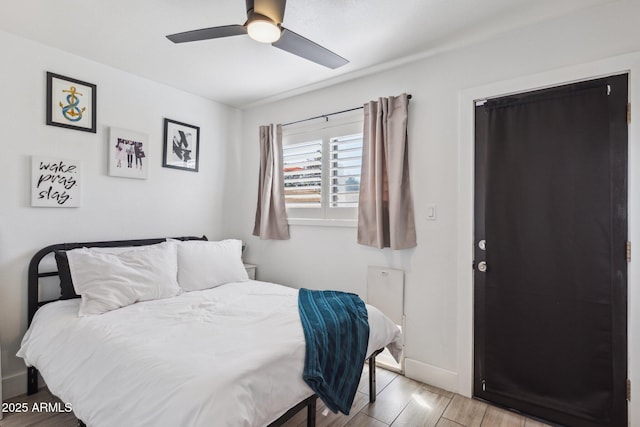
<point x="55" y="182"/>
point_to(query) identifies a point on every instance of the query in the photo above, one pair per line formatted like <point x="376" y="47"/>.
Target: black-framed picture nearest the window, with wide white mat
<point x="181" y="146"/>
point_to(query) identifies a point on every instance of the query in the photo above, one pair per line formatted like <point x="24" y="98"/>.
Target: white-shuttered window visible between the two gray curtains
<point x="322" y="173"/>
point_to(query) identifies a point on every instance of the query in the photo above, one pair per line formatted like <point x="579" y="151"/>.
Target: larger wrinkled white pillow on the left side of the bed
<point x="109" y="281"/>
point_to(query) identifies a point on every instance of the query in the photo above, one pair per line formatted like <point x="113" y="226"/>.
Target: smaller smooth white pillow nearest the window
<point x="203" y="264"/>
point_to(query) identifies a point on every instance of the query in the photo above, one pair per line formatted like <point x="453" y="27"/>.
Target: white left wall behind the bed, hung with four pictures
<point x="169" y="203"/>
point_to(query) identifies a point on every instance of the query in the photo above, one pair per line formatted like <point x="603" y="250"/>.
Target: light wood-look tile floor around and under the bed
<point x="400" y="402"/>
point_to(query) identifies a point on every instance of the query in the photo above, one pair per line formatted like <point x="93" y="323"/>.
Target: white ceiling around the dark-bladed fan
<point x="130" y="35"/>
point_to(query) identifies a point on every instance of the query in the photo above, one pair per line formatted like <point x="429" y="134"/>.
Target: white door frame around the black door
<point x="466" y="142"/>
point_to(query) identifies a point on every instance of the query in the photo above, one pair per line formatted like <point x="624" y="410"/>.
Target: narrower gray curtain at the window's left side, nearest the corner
<point x="271" y="215"/>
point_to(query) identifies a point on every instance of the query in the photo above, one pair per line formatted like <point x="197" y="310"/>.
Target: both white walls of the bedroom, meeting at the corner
<point x="220" y="200"/>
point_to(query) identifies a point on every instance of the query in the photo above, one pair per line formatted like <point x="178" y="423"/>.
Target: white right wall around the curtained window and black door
<point x="438" y="275"/>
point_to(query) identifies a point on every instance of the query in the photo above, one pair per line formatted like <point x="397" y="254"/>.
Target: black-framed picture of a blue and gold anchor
<point x="71" y="103"/>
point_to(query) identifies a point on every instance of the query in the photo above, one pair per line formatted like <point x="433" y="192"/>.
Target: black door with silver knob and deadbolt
<point x="550" y="273"/>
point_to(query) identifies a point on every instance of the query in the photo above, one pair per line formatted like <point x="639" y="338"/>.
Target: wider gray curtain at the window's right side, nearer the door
<point x="385" y="208"/>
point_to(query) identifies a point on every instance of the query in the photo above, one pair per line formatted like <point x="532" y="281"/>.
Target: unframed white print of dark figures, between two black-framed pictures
<point x="128" y="153"/>
